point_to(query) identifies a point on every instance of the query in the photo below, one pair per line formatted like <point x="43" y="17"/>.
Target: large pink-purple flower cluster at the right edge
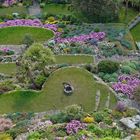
<point x="126" y="84"/>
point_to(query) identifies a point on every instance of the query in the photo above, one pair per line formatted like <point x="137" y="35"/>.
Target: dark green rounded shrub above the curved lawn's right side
<point x="108" y="66"/>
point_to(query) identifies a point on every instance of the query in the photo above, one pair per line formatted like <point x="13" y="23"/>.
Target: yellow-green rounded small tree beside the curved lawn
<point x="35" y="59"/>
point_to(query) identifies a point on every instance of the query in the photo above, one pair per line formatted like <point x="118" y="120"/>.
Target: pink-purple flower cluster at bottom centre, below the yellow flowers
<point x="73" y="126"/>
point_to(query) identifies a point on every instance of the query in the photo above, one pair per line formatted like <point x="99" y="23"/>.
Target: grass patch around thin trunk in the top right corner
<point x="131" y="15"/>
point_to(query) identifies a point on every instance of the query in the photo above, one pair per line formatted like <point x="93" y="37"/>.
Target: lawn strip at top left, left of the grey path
<point x="14" y="9"/>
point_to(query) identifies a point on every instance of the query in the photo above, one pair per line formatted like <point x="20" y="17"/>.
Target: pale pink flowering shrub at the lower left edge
<point x="5" y="124"/>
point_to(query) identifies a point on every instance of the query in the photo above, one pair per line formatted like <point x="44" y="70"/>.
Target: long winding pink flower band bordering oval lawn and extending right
<point x="53" y="27"/>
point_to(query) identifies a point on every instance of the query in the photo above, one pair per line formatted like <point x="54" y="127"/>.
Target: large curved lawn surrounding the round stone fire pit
<point x="53" y="97"/>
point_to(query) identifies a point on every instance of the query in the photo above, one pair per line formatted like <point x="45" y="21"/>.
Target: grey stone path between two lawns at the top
<point x="35" y="9"/>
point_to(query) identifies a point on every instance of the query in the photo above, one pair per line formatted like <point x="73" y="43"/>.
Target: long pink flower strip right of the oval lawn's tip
<point x="81" y="38"/>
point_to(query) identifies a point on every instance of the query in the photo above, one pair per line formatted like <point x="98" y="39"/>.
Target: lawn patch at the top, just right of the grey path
<point x="56" y="9"/>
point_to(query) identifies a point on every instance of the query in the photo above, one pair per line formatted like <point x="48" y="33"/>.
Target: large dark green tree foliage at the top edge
<point x="101" y="10"/>
